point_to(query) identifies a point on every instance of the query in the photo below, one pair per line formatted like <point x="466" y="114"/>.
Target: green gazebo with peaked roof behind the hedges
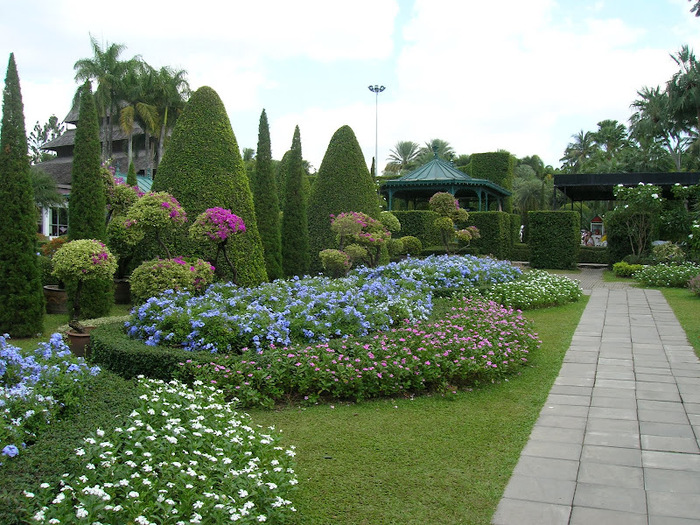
<point x="441" y="176"/>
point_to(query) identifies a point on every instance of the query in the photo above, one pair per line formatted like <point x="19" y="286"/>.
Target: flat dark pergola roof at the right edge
<point x="599" y="186"/>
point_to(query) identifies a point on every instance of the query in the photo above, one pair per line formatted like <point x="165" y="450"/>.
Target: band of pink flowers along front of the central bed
<point x="477" y="340"/>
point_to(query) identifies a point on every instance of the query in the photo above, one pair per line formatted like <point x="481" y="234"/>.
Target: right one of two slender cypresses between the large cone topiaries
<point x="295" y="227"/>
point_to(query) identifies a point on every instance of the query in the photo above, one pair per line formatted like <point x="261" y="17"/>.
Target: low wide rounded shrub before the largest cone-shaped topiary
<point x="158" y="275"/>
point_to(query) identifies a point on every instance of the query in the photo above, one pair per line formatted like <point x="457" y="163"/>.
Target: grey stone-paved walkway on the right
<point x="617" y="440"/>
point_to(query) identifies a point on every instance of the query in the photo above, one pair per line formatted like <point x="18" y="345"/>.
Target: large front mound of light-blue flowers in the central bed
<point x="310" y="309"/>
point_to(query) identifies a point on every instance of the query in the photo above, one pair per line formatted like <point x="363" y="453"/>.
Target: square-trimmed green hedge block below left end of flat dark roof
<point x="554" y="239"/>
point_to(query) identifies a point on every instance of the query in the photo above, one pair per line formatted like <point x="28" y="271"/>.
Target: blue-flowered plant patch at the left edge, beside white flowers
<point x="36" y="388"/>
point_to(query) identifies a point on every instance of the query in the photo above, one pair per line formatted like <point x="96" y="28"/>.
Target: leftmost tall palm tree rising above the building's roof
<point x="108" y="71"/>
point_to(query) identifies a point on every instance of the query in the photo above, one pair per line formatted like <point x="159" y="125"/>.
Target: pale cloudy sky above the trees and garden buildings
<point x="521" y="76"/>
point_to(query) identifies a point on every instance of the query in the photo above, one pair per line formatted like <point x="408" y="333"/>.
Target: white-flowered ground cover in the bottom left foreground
<point x="184" y="456"/>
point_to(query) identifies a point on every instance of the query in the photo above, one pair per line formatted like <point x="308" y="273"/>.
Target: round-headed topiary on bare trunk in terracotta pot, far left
<point x="76" y="262"/>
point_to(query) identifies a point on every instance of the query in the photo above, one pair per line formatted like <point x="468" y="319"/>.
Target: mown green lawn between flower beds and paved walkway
<point x="437" y="459"/>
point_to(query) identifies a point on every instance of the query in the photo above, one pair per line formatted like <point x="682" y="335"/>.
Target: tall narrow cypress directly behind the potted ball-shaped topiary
<point x="87" y="204"/>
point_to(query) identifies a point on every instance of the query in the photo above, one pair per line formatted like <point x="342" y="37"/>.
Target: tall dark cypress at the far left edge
<point x="21" y="294"/>
